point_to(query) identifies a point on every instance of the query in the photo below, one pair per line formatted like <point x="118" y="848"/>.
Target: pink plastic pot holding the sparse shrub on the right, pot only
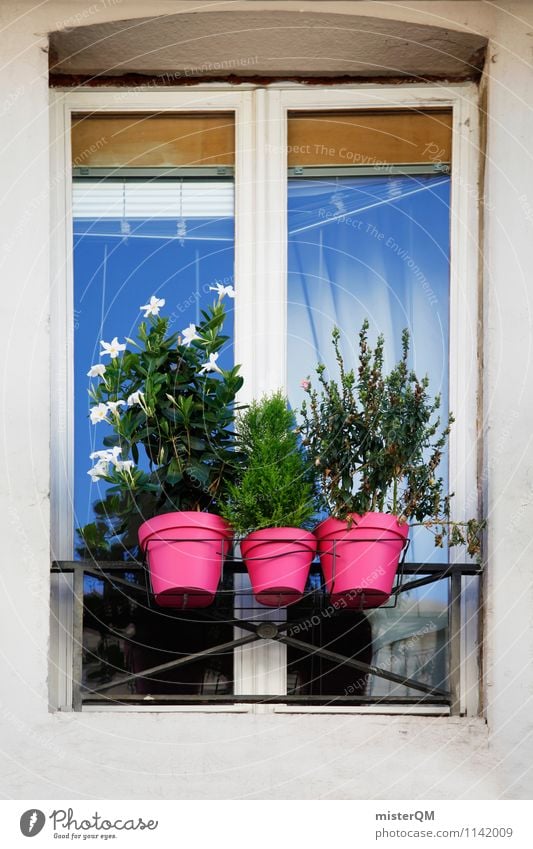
<point x="361" y="561"/>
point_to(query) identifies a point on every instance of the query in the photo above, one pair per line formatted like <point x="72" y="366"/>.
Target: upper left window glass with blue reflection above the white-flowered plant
<point x="140" y="229"/>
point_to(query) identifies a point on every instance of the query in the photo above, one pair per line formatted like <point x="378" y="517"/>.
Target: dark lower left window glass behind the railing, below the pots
<point x="123" y="634"/>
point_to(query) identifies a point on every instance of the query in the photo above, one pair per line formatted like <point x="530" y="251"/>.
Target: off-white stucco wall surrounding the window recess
<point x="168" y="755"/>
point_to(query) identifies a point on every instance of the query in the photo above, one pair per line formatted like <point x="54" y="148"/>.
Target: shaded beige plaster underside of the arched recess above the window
<point x="263" y="42"/>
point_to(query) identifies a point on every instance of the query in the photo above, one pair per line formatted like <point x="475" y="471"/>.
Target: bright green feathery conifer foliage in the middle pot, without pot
<point x="275" y="487"/>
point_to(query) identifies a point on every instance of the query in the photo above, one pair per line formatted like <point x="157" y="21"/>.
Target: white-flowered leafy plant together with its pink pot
<point x="170" y="454"/>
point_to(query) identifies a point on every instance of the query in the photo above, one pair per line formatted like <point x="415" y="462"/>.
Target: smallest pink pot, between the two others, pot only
<point x="278" y="562"/>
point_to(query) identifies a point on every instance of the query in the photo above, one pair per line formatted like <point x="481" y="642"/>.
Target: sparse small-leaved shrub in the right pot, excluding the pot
<point x="377" y="443"/>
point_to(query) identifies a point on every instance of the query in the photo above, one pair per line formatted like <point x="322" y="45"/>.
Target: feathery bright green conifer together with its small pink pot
<point x="272" y="501"/>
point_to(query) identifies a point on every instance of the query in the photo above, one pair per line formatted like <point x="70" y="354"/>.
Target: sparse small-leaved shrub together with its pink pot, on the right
<point x="376" y="441"/>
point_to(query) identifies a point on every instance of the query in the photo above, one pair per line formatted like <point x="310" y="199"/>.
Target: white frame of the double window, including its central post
<point x="260" y="305"/>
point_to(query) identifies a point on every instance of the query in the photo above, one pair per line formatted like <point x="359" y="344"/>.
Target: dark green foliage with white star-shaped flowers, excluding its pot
<point x="171" y="409"/>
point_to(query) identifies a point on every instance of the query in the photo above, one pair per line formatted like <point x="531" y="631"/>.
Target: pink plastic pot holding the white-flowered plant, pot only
<point x="185" y="552"/>
